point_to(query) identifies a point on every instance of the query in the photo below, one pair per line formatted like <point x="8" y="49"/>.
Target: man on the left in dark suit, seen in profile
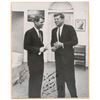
<point x="33" y="43"/>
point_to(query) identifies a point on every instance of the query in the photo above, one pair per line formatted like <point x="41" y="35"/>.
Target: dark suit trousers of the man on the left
<point x="35" y="83"/>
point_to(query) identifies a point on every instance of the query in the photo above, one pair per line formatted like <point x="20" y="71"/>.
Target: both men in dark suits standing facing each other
<point x="63" y="39"/>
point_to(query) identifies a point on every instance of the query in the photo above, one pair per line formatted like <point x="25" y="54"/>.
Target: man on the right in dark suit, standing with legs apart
<point x="63" y="39"/>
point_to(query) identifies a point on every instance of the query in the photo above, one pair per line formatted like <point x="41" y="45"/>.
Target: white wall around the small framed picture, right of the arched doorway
<point x="81" y="11"/>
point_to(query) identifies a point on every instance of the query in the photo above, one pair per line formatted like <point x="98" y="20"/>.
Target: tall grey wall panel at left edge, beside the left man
<point x="17" y="31"/>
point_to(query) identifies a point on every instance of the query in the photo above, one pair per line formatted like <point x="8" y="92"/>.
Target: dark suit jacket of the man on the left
<point x="32" y="44"/>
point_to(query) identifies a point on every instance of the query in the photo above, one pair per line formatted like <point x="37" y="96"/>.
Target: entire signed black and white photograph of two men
<point x="49" y="50"/>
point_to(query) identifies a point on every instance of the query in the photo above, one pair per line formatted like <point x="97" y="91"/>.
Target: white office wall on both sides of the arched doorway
<point x="80" y="12"/>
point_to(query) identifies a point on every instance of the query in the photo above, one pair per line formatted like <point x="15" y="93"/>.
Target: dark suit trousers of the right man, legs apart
<point x="64" y="74"/>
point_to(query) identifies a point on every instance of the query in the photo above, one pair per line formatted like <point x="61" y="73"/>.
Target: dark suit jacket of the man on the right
<point x="69" y="39"/>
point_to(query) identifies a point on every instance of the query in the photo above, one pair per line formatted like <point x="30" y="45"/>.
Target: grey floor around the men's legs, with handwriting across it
<point x="20" y="88"/>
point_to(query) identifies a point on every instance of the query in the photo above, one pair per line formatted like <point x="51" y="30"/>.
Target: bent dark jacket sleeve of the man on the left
<point x="27" y="44"/>
